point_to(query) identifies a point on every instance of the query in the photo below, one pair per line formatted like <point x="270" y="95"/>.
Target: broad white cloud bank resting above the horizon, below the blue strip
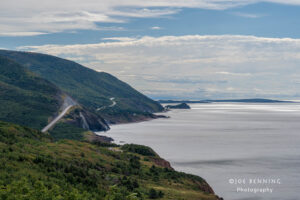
<point x="197" y="66"/>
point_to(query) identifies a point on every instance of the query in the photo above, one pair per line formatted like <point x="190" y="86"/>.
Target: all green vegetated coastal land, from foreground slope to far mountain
<point x="72" y="163"/>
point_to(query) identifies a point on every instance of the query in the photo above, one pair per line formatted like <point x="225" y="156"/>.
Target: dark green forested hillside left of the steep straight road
<point x="25" y="98"/>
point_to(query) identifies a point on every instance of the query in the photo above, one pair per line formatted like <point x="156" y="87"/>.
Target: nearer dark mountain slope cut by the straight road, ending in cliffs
<point x="32" y="101"/>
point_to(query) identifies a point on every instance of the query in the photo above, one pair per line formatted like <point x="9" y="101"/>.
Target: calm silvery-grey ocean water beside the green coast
<point x="244" y="151"/>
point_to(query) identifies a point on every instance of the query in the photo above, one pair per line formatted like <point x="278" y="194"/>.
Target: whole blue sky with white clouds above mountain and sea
<point x="169" y="49"/>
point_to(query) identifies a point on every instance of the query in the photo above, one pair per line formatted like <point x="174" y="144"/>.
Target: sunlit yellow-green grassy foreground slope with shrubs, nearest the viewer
<point x="34" y="167"/>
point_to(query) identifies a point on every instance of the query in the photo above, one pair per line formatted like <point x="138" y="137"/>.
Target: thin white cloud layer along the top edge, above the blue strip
<point x="50" y="16"/>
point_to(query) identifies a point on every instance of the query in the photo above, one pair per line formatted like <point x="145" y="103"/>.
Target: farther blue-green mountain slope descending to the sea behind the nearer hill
<point x="100" y="92"/>
